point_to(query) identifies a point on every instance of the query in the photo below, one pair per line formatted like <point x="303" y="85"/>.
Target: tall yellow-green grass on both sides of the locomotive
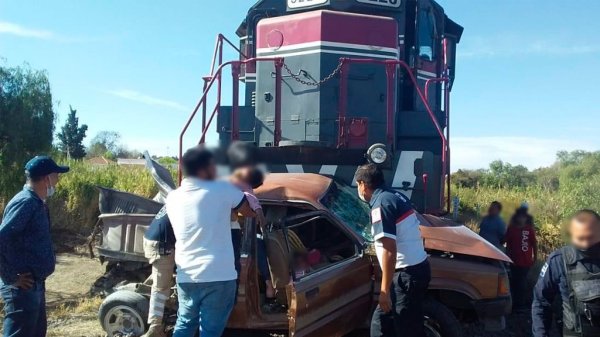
<point x="75" y="206"/>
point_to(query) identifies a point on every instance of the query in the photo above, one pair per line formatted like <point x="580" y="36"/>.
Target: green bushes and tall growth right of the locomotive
<point x="553" y="193"/>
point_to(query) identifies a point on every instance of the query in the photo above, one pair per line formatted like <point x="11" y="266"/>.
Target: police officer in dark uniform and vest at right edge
<point x="571" y="275"/>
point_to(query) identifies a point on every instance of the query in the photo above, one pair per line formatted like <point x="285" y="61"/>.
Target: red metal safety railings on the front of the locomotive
<point x="391" y="71"/>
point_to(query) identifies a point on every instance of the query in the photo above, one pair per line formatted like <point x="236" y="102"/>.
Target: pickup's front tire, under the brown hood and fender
<point x="440" y="321"/>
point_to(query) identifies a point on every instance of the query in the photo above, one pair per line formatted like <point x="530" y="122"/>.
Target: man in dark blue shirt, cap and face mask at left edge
<point x="26" y="251"/>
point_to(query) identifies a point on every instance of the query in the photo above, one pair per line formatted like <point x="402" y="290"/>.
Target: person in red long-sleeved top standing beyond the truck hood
<point x="521" y="247"/>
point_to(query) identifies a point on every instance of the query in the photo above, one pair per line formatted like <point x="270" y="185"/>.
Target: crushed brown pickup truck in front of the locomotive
<point x="338" y="294"/>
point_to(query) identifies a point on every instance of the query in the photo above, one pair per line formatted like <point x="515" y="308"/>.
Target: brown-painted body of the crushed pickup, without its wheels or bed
<point x="340" y="297"/>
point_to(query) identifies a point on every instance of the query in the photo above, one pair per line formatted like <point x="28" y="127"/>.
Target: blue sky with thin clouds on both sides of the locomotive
<point x="526" y="82"/>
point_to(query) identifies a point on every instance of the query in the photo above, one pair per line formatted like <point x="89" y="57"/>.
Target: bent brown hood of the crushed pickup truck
<point x="447" y="236"/>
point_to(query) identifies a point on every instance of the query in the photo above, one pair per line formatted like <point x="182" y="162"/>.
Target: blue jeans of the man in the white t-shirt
<point x="204" y="306"/>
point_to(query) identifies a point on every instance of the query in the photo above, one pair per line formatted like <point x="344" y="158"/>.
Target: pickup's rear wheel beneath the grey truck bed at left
<point x="124" y="313"/>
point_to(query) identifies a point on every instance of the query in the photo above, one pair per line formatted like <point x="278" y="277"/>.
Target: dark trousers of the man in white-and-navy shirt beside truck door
<point x="408" y="291"/>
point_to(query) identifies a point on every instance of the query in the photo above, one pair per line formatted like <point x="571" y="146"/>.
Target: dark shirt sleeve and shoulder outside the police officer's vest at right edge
<point x="552" y="284"/>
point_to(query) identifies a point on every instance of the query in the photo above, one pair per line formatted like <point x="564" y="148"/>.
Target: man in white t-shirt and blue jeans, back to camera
<point x="200" y="212"/>
